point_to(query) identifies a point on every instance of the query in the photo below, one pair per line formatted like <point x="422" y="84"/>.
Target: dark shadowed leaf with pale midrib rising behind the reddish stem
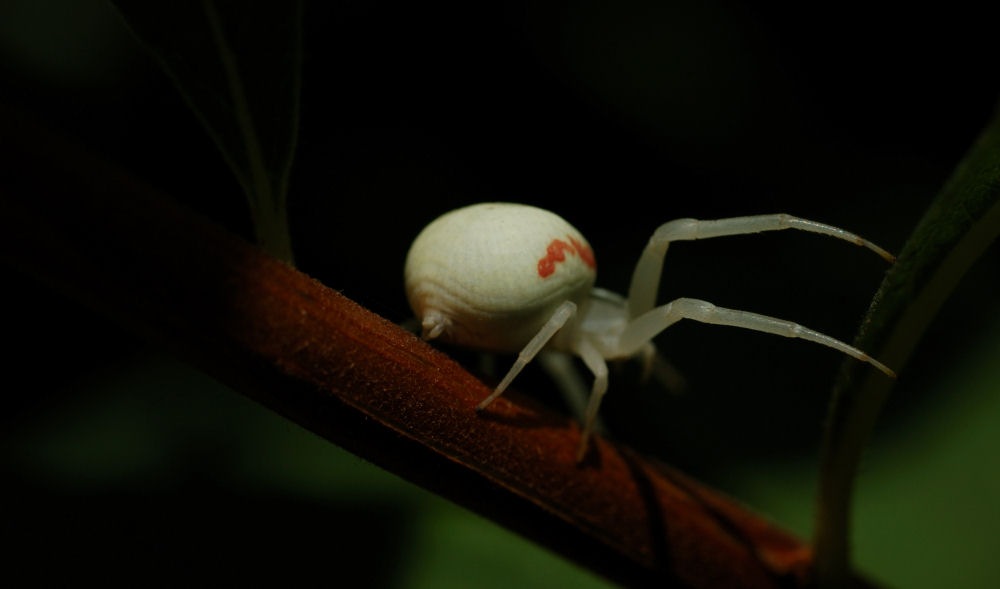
<point x="238" y="65"/>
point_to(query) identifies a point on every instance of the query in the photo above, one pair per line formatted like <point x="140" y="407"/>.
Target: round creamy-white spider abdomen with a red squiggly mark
<point x="489" y="275"/>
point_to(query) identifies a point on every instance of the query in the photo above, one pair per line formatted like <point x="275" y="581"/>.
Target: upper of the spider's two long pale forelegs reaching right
<point x="646" y="276"/>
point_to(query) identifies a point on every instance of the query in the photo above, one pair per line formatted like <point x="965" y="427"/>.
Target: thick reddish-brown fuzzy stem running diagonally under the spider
<point x="322" y="361"/>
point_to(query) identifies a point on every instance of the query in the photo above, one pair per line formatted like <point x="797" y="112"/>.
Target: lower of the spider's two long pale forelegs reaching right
<point x="647" y="325"/>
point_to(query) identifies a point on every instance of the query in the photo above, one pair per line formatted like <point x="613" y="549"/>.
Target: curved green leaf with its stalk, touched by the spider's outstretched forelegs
<point x="957" y="228"/>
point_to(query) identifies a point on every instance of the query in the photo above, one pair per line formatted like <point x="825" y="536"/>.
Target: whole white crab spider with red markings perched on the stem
<point x="515" y="278"/>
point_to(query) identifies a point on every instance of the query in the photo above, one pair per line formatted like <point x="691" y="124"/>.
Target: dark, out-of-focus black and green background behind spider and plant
<point x="120" y="463"/>
